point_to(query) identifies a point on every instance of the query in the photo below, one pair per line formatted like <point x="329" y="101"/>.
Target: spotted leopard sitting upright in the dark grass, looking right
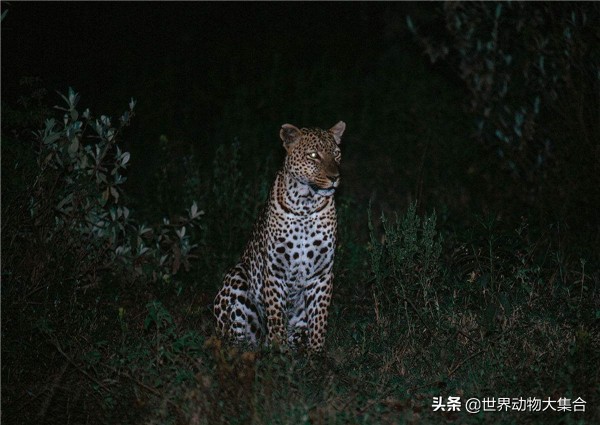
<point x="280" y="291"/>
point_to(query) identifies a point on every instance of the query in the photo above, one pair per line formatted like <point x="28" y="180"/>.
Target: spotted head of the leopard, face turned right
<point x="313" y="156"/>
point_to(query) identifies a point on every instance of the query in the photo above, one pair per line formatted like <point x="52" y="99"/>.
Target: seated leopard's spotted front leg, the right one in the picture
<point x="318" y="312"/>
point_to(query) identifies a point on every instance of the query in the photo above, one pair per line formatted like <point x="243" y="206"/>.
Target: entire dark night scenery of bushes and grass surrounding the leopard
<point x="467" y="261"/>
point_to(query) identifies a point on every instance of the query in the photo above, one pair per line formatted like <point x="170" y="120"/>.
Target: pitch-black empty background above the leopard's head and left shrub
<point x="209" y="73"/>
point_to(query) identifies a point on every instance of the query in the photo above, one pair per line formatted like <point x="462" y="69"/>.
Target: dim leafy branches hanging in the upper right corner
<point x="518" y="61"/>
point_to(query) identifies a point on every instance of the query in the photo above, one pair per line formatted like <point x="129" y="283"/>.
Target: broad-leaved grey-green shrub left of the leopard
<point x="75" y="205"/>
